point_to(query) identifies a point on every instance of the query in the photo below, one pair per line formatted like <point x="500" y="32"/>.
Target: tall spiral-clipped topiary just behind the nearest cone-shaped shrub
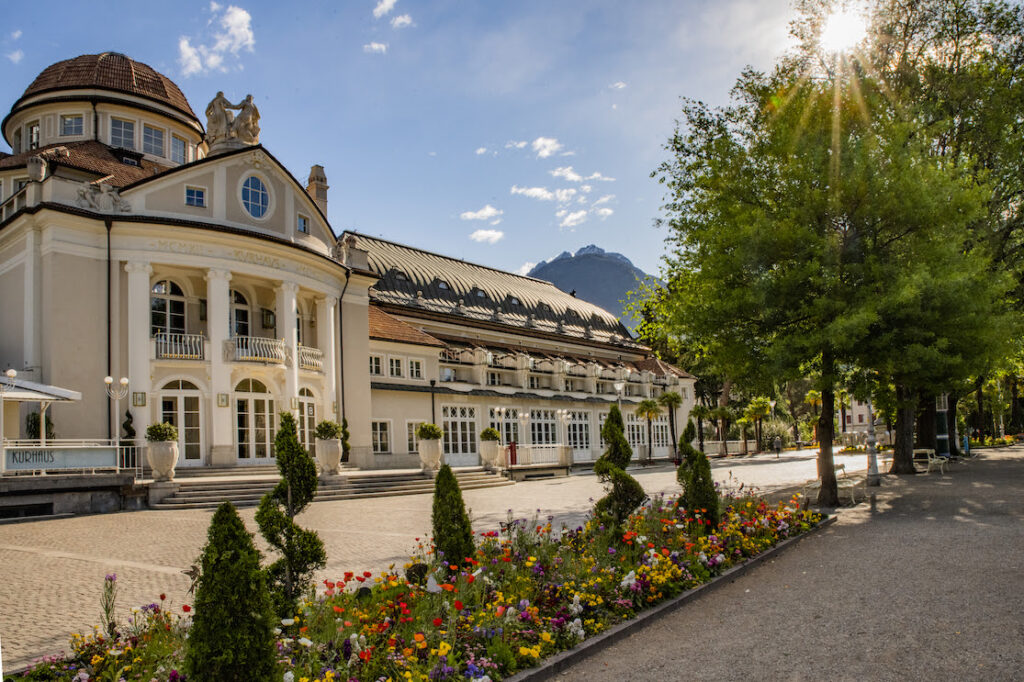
<point x="302" y="550"/>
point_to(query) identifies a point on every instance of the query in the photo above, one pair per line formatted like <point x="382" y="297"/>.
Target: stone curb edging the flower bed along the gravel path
<point x="599" y="644"/>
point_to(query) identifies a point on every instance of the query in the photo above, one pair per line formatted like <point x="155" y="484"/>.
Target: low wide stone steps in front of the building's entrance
<point x="247" y="490"/>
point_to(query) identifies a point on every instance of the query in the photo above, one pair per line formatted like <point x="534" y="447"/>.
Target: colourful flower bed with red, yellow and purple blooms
<point x="527" y="593"/>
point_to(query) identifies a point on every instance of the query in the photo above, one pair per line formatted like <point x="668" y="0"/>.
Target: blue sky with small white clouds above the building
<point x="502" y="133"/>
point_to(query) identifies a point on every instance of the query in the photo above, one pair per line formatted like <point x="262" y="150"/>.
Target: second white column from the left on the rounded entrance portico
<point x="219" y="313"/>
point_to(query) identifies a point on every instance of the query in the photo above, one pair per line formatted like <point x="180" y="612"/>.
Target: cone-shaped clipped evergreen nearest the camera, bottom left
<point x="232" y="636"/>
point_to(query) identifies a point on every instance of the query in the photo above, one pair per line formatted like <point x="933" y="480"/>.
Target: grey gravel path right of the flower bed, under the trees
<point x="927" y="584"/>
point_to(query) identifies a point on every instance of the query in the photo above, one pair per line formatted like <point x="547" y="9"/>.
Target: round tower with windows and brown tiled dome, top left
<point x="108" y="99"/>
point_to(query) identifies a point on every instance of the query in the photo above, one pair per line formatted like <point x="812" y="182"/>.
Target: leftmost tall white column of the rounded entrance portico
<point x="139" y="344"/>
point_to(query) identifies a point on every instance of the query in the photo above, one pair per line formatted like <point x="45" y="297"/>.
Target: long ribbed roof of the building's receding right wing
<point x="420" y="280"/>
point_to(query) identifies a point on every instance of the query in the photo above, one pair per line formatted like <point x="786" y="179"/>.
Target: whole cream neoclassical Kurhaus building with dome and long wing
<point x="137" y="242"/>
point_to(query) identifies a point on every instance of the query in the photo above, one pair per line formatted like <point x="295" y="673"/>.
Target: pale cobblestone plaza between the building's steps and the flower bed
<point x="54" y="570"/>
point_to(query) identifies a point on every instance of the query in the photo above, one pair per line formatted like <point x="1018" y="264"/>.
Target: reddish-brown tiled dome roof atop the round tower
<point x="110" y="71"/>
